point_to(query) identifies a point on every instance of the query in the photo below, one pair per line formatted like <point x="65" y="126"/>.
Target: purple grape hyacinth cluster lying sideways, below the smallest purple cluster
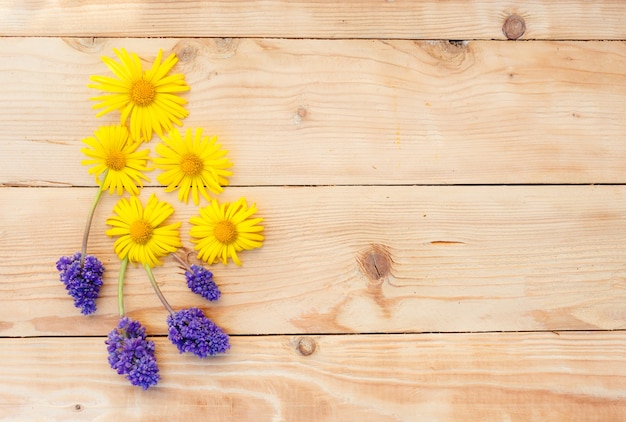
<point x="191" y="331"/>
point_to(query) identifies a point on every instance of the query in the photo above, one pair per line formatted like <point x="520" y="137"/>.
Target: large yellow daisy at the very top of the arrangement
<point x="148" y="98"/>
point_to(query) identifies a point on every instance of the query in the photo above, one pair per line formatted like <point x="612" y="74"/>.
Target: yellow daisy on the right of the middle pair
<point x="193" y="163"/>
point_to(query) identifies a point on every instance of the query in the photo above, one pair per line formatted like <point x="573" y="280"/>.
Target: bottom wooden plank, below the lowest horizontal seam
<point x="514" y="377"/>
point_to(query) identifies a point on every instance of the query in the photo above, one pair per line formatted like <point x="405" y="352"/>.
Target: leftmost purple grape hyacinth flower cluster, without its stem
<point x="82" y="283"/>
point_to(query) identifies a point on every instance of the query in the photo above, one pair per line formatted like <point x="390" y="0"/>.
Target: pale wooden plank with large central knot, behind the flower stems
<point x="347" y="260"/>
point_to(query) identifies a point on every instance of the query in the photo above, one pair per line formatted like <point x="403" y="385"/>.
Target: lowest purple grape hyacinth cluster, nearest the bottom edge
<point x="131" y="354"/>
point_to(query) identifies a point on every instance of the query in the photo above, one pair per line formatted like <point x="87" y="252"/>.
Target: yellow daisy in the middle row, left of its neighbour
<point x="111" y="149"/>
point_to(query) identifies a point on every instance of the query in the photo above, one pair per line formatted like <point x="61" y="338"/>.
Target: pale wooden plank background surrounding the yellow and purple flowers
<point x="444" y="210"/>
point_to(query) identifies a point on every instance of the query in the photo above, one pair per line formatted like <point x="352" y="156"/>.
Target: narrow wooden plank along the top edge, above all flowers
<point x="431" y="19"/>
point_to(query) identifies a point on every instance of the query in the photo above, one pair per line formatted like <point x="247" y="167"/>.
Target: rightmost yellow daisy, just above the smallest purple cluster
<point x="222" y="231"/>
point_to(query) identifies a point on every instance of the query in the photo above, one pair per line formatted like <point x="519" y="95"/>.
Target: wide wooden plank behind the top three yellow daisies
<point x="346" y="112"/>
